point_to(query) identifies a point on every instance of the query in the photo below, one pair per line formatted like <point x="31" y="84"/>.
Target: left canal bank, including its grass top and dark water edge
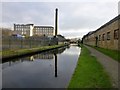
<point x="22" y="52"/>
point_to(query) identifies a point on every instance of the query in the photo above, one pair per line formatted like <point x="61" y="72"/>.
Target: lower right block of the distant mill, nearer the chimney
<point x="43" y="30"/>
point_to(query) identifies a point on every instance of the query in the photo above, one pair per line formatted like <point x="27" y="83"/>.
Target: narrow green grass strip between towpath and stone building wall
<point x="111" y="53"/>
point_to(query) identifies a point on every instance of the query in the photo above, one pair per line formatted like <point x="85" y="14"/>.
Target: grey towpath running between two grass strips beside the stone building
<point x="110" y="65"/>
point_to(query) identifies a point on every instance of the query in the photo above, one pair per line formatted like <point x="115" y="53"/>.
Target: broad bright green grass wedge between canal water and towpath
<point x="89" y="73"/>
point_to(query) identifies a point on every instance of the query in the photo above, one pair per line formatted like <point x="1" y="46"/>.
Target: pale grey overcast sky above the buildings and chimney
<point x="75" y="18"/>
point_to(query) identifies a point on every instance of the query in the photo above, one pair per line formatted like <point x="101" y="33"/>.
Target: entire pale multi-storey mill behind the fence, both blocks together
<point x="31" y="30"/>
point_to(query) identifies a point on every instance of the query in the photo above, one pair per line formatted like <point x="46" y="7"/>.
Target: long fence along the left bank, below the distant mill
<point x="12" y="42"/>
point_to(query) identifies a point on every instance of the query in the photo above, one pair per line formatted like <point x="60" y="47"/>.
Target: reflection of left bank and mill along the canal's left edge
<point x="49" y="55"/>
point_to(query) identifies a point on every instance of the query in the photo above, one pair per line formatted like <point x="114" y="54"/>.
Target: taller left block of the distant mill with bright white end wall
<point x="24" y="29"/>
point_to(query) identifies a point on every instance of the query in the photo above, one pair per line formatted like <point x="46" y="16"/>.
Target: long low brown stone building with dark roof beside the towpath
<point x="107" y="36"/>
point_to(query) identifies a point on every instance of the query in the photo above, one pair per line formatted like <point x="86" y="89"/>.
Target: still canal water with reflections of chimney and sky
<point x="51" y="69"/>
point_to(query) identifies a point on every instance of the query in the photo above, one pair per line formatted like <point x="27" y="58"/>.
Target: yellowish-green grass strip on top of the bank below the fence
<point x="11" y="53"/>
